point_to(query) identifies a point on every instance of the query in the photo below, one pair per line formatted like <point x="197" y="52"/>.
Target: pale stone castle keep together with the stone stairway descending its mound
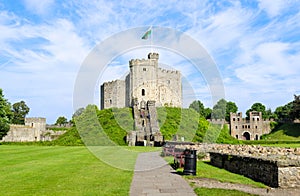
<point x="145" y="87"/>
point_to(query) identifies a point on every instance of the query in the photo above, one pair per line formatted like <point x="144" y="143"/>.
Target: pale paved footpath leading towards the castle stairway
<point x="153" y="176"/>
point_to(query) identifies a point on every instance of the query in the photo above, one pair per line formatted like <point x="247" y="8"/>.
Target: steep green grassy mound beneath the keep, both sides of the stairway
<point x="117" y="122"/>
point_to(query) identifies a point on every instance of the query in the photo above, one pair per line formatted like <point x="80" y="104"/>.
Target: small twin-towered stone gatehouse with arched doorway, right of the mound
<point x="251" y="129"/>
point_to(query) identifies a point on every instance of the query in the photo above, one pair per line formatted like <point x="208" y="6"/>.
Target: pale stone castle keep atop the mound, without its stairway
<point x="145" y="81"/>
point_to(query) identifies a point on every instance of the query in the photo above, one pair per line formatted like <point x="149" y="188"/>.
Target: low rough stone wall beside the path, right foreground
<point x="273" y="166"/>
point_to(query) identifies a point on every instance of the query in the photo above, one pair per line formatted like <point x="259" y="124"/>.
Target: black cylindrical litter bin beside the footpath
<point x="190" y="162"/>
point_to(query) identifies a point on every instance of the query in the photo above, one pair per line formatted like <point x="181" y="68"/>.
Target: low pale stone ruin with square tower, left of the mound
<point x="33" y="130"/>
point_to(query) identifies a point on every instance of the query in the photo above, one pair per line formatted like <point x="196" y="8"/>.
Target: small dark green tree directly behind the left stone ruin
<point x="20" y="110"/>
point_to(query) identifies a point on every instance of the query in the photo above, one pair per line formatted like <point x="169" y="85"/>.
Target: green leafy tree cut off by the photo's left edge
<point x="5" y="115"/>
